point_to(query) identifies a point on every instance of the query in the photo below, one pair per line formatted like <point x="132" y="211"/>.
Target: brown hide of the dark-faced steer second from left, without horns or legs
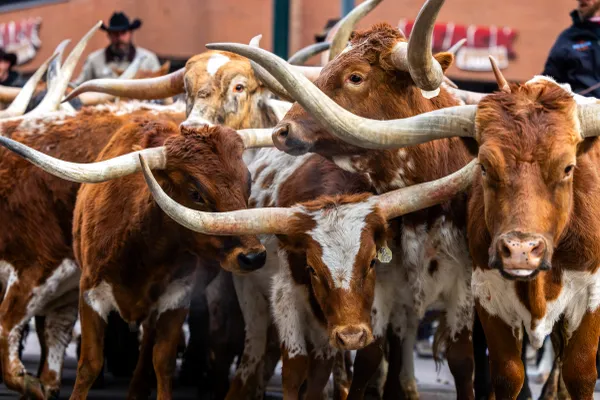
<point x="122" y="237"/>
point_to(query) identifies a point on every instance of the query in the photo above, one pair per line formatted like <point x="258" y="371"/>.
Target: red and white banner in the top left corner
<point x="22" y="38"/>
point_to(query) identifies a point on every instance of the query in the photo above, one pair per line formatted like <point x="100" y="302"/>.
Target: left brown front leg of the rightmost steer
<point x="506" y="368"/>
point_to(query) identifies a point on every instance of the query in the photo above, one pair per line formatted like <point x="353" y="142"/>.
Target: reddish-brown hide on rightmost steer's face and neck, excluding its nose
<point x="528" y="139"/>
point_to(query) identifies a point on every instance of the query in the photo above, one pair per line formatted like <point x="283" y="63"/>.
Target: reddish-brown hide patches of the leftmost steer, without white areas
<point x="36" y="206"/>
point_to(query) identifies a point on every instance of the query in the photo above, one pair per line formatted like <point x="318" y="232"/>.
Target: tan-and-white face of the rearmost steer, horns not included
<point x="230" y="95"/>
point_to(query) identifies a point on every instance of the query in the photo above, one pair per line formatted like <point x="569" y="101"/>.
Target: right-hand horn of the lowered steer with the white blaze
<point x="417" y="197"/>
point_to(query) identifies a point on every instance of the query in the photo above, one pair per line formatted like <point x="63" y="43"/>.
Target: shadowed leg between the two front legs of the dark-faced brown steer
<point x="143" y="376"/>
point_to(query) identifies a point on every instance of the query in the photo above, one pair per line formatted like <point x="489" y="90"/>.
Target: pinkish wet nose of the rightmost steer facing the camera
<point x="520" y="255"/>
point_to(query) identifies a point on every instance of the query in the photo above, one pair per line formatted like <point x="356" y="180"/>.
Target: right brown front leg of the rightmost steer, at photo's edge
<point x="579" y="363"/>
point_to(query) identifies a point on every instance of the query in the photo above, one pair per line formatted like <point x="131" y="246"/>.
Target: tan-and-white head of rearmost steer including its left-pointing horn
<point x="220" y="88"/>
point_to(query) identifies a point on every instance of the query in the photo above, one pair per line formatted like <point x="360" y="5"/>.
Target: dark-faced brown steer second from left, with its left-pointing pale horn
<point x="118" y="232"/>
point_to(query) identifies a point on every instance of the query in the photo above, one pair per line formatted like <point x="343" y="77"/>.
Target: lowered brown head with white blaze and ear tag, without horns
<point x="332" y="247"/>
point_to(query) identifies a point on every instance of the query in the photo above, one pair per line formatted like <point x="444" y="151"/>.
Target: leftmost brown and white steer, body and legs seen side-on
<point x="37" y="266"/>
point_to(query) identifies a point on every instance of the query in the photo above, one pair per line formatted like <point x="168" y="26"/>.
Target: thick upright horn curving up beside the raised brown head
<point x="425" y="71"/>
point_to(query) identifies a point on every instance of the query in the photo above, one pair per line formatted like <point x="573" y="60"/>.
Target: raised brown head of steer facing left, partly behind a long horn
<point x="365" y="80"/>
